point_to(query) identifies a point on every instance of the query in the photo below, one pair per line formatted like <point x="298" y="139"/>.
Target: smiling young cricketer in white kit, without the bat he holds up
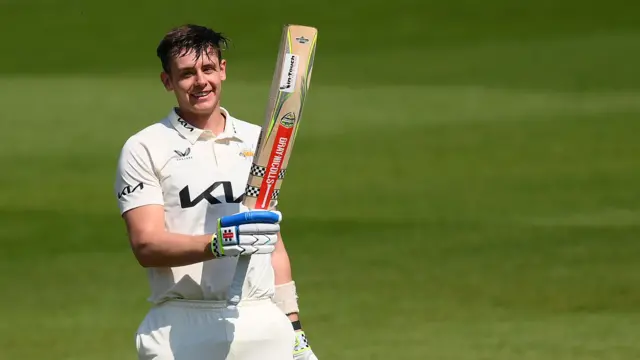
<point x="179" y="182"/>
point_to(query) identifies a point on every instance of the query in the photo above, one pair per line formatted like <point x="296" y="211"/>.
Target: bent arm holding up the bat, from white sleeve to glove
<point x="141" y="203"/>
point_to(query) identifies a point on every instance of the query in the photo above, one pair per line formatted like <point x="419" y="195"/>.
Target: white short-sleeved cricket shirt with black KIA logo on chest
<point x="198" y="178"/>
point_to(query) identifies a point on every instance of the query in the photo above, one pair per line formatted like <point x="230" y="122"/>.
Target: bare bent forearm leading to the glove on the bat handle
<point x="164" y="249"/>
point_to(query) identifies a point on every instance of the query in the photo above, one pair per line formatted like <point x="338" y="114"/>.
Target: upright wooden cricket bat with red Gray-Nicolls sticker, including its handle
<point x="288" y="92"/>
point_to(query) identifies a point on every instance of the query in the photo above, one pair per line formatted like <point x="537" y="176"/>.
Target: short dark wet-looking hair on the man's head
<point x="186" y="38"/>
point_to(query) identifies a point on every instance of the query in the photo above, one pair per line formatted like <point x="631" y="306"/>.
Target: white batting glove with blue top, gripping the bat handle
<point x="246" y="233"/>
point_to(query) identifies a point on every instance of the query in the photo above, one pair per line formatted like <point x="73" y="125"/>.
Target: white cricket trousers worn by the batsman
<point x="185" y="330"/>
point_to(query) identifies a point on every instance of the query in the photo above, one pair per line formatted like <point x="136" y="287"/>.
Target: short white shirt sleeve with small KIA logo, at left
<point x="136" y="181"/>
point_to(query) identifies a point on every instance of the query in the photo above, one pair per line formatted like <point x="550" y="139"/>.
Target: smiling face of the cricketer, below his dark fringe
<point x="196" y="80"/>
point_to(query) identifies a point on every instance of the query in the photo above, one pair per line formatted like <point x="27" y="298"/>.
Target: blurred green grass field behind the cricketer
<point x="464" y="185"/>
